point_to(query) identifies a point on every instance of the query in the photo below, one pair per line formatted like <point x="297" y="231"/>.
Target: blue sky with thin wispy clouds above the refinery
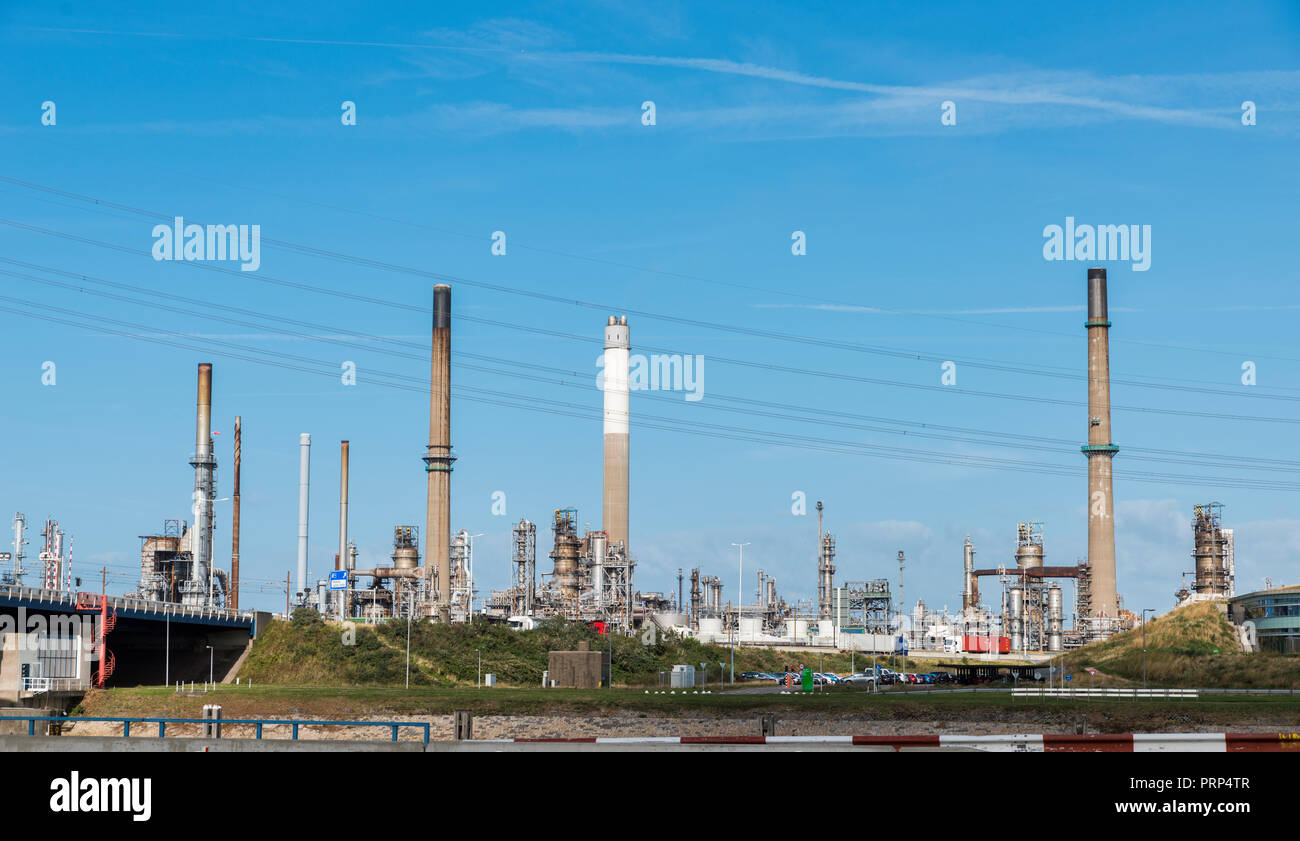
<point x="527" y="119"/>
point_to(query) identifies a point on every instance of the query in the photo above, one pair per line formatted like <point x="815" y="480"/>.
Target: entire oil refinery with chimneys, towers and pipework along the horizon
<point x="1017" y="605"/>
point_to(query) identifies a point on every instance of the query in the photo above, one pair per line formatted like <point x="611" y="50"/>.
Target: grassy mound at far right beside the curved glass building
<point x="1194" y="647"/>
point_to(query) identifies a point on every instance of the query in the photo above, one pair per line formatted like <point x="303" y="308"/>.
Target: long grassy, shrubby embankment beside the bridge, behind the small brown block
<point x="307" y="652"/>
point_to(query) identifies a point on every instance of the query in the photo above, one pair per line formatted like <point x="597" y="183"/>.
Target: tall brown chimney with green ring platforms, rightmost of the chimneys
<point x="1100" y="452"/>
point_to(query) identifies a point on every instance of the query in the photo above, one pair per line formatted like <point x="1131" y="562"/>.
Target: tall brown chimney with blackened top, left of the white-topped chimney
<point x="437" y="461"/>
